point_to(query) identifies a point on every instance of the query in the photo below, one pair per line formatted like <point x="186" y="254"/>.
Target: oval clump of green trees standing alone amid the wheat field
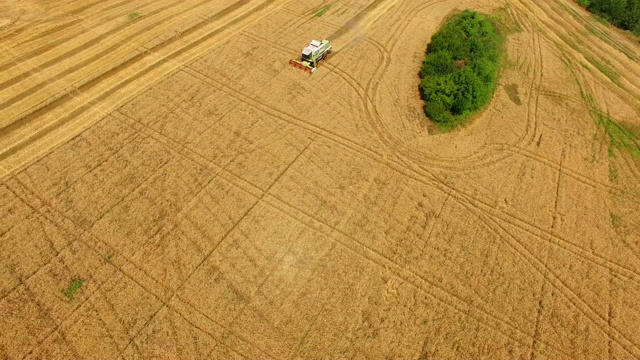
<point x="460" y="70"/>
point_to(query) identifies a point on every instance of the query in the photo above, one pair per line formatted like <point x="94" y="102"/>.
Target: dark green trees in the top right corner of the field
<point x="624" y="14"/>
